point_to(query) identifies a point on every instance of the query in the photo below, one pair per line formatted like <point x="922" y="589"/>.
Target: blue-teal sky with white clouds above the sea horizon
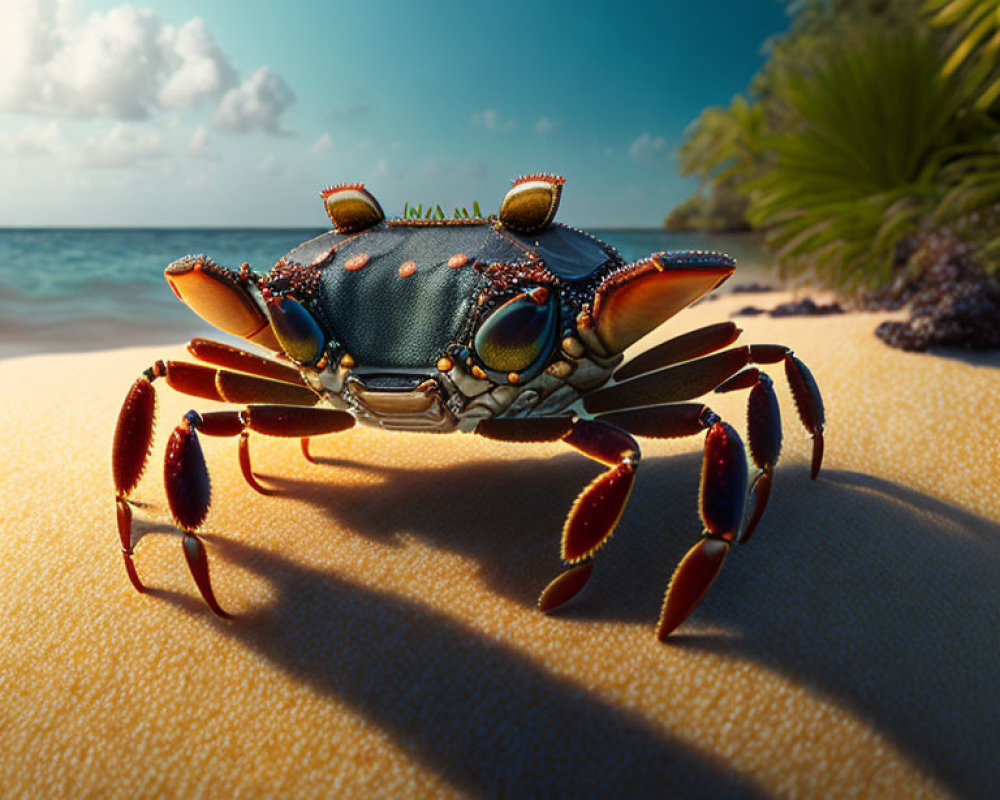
<point x="175" y="113"/>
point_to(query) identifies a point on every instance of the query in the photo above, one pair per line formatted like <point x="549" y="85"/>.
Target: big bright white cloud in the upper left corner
<point x="124" y="63"/>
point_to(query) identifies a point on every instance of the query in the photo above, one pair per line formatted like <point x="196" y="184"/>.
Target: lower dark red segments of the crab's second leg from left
<point x="185" y="478"/>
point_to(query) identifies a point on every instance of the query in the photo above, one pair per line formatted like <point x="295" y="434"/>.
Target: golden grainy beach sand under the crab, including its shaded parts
<point x="385" y="642"/>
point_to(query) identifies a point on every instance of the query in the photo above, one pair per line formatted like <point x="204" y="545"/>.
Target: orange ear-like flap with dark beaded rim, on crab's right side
<point x="639" y="297"/>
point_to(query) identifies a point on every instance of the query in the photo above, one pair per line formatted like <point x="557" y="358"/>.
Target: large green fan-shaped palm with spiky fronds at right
<point x="870" y="123"/>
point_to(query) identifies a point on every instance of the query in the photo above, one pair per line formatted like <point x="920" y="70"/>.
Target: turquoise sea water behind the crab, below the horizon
<point x="78" y="289"/>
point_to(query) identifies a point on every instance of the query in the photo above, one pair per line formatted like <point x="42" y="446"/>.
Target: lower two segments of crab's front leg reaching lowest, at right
<point x="723" y="499"/>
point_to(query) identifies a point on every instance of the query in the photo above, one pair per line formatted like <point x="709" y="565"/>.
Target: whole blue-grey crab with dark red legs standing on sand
<point x="510" y="327"/>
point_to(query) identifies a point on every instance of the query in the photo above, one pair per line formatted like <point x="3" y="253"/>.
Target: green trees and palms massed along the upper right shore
<point x="872" y="123"/>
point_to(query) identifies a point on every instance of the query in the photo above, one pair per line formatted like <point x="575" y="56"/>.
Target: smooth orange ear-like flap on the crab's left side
<point x="219" y="296"/>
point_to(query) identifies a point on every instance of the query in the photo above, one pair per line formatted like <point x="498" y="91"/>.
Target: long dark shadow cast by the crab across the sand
<point x="877" y="597"/>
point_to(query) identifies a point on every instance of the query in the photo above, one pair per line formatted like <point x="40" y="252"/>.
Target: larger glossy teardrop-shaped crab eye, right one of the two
<point x="519" y="333"/>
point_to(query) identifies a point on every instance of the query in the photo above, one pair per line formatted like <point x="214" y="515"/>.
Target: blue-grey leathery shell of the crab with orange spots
<point x="384" y="319"/>
